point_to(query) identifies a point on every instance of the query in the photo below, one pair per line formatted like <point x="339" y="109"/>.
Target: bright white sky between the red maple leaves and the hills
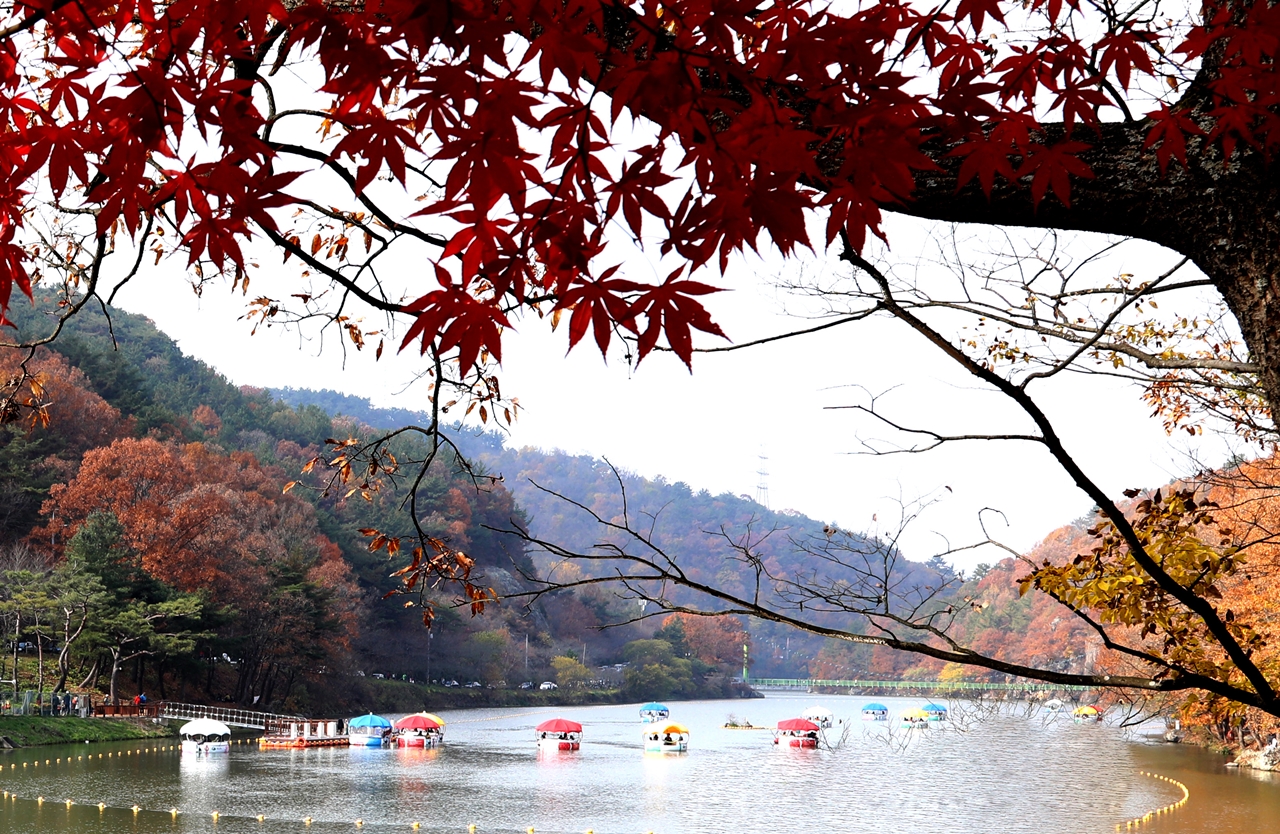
<point x="708" y="429"/>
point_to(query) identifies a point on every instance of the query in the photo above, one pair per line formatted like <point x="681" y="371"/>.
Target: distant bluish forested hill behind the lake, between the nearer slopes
<point x="694" y="528"/>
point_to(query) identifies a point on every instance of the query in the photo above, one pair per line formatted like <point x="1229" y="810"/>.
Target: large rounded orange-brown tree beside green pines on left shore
<point x="202" y="523"/>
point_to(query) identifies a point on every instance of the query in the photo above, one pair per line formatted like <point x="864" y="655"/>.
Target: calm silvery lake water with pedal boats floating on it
<point x="986" y="772"/>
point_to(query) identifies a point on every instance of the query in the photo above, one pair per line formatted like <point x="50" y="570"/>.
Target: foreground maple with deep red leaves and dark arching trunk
<point x="497" y="143"/>
